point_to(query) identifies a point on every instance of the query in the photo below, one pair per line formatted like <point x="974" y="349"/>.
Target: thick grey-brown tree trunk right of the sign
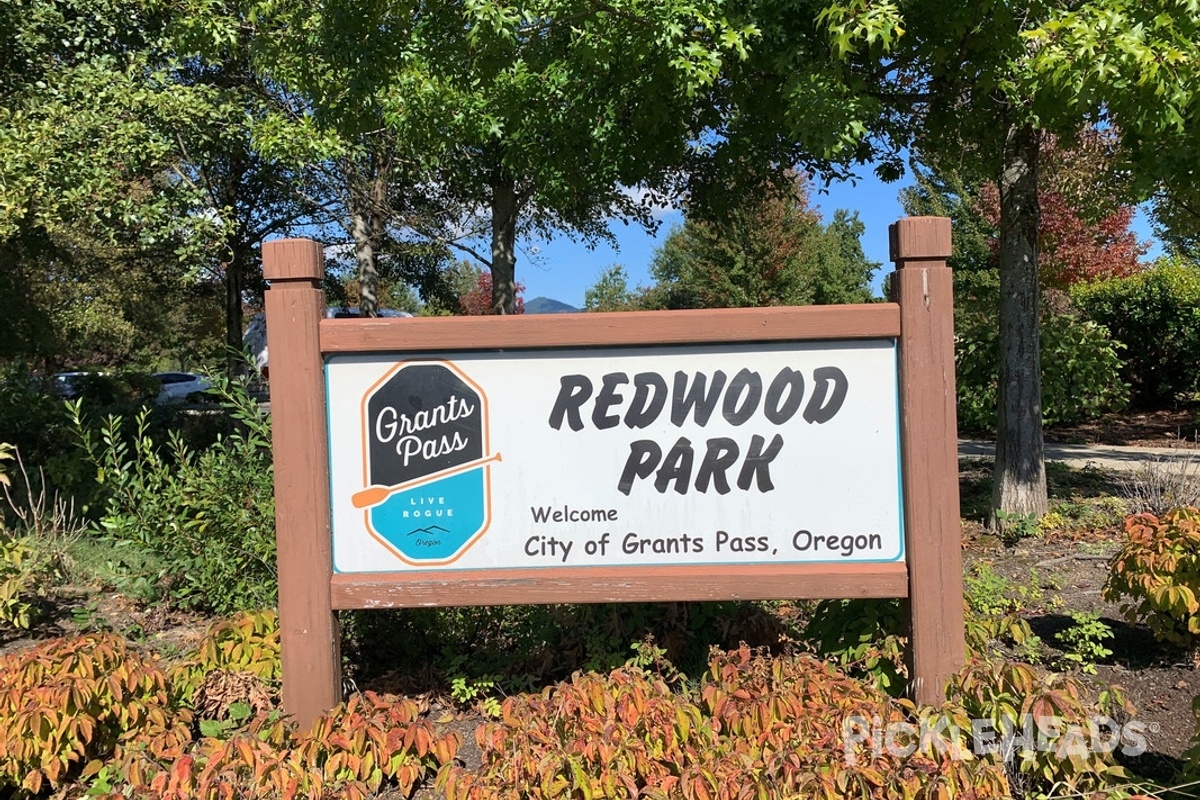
<point x="1021" y="479"/>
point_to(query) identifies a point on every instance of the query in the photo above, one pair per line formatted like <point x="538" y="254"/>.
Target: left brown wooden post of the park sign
<point x="309" y="636"/>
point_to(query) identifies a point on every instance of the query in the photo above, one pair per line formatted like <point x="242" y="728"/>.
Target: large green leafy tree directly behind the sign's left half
<point x="526" y="117"/>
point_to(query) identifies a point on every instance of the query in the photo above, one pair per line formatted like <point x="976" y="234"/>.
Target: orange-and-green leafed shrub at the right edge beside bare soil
<point x="1157" y="575"/>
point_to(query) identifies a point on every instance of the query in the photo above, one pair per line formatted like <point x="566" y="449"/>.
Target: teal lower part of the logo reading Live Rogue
<point x="434" y="522"/>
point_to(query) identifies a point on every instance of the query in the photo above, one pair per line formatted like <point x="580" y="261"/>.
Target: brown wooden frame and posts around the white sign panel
<point x="921" y="321"/>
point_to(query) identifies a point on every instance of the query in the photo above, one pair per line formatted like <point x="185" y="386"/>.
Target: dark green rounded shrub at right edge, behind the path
<point x="1156" y="315"/>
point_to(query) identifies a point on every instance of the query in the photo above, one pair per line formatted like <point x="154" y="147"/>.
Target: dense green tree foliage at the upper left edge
<point x="98" y="232"/>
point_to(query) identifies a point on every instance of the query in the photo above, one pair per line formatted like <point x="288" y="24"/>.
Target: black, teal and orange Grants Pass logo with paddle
<point x="427" y="462"/>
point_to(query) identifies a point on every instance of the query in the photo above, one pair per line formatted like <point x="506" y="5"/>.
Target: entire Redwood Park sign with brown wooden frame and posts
<point x="711" y="455"/>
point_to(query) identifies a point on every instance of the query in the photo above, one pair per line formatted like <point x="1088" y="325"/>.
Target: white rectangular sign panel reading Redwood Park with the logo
<point x="764" y="454"/>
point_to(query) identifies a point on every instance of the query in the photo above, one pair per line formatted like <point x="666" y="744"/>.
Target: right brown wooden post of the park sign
<point x="923" y="287"/>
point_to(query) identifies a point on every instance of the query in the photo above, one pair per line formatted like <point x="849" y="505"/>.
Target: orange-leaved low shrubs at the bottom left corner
<point x="89" y="711"/>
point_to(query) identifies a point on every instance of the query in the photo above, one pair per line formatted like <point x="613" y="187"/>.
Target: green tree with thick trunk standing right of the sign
<point x="981" y="87"/>
